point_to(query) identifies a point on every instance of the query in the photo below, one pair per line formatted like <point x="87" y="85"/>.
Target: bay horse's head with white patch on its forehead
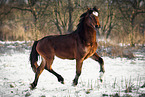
<point x="92" y="14"/>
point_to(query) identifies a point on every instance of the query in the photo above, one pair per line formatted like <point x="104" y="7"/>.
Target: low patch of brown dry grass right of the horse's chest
<point x="113" y="50"/>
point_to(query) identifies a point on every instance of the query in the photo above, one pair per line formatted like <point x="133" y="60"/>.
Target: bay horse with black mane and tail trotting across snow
<point x="80" y="45"/>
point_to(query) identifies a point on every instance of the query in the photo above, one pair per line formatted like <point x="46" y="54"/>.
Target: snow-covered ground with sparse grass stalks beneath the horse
<point x="16" y="75"/>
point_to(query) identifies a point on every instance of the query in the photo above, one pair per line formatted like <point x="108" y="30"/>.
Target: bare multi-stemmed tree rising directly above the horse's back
<point x="64" y="17"/>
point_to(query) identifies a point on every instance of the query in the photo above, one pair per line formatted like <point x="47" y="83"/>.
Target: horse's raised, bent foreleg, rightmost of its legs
<point x="96" y="57"/>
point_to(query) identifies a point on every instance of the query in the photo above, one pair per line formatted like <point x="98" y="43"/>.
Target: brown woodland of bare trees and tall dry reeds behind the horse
<point x="122" y="21"/>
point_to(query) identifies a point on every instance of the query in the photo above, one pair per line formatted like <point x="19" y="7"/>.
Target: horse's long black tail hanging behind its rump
<point x="34" y="56"/>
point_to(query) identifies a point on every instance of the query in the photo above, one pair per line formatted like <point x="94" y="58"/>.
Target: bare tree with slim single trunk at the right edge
<point x="130" y="9"/>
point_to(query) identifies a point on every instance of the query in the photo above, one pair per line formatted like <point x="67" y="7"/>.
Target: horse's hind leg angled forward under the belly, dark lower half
<point x="49" y="68"/>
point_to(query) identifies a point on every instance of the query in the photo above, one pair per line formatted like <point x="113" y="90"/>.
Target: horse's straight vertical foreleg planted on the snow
<point x="78" y="71"/>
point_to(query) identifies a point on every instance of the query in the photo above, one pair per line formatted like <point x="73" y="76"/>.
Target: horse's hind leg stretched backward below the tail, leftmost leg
<point x="37" y="74"/>
